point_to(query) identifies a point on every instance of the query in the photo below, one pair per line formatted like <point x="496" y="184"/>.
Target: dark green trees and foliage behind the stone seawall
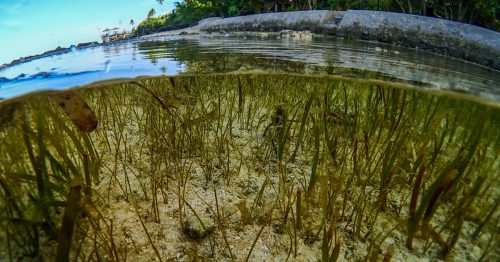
<point x="186" y="13"/>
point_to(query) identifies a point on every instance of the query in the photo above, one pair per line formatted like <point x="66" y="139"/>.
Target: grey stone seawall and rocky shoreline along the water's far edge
<point x="463" y="41"/>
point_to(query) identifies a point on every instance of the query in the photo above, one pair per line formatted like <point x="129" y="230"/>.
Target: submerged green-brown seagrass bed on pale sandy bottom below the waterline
<point x="242" y="166"/>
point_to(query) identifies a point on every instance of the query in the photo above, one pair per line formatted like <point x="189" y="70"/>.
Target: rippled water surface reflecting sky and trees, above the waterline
<point x="217" y="54"/>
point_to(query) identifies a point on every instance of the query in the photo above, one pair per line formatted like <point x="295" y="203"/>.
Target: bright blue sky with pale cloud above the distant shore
<point x="29" y="27"/>
